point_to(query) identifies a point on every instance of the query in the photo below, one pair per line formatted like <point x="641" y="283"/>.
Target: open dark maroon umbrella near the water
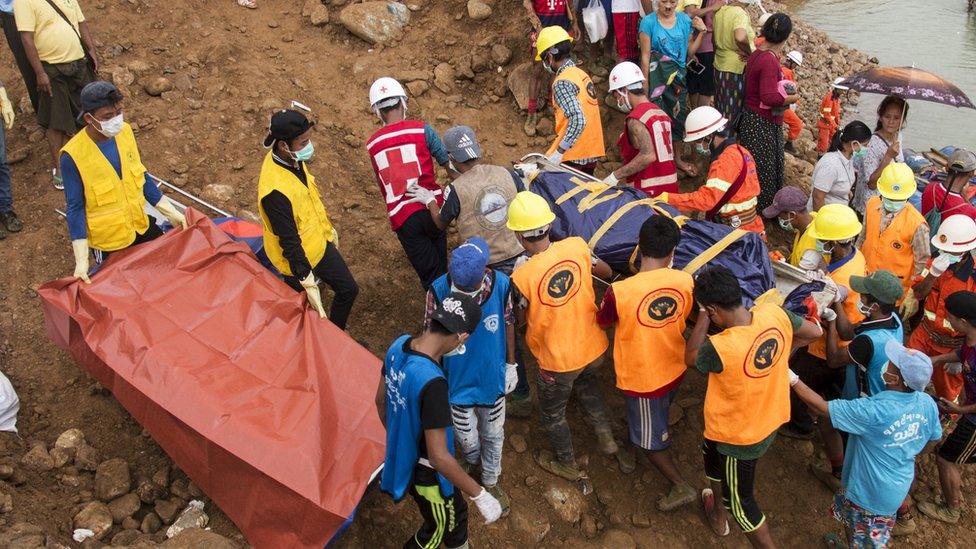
<point x="908" y="83"/>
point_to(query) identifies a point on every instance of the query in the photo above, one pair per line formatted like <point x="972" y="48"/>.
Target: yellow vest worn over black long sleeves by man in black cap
<point x="311" y="219"/>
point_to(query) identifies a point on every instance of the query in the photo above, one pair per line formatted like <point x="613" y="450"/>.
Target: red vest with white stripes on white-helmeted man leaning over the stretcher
<point x="661" y="175"/>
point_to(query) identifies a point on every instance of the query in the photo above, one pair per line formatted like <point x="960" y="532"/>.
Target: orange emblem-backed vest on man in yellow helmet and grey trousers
<point x="562" y="331"/>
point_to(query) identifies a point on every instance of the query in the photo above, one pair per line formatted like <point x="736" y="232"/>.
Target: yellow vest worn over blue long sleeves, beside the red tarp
<point x="114" y="206"/>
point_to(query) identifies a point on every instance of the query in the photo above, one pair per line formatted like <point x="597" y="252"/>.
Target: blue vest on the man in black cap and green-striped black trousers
<point x="405" y="376"/>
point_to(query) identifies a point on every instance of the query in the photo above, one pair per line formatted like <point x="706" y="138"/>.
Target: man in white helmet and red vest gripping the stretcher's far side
<point x="645" y="144"/>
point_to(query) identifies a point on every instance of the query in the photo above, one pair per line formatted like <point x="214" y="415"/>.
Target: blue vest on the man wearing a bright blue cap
<point x="477" y="378"/>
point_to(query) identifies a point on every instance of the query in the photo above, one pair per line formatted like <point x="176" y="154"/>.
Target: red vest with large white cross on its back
<point x="401" y="158"/>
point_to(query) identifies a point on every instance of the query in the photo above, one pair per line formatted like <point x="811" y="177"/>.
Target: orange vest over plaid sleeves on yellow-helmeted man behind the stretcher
<point x="590" y="142"/>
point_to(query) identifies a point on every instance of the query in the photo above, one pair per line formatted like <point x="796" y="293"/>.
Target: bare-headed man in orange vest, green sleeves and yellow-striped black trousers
<point x="748" y="395"/>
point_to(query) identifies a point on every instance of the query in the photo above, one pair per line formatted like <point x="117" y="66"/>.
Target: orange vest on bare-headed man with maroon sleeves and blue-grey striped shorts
<point x="648" y="345"/>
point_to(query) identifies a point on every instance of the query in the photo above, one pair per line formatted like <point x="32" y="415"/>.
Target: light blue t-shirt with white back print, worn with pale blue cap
<point x="887" y="431"/>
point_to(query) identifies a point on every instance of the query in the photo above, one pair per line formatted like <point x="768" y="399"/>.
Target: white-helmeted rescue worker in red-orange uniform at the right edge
<point x="953" y="270"/>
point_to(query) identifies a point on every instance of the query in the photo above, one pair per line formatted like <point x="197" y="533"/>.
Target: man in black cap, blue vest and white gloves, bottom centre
<point x="413" y="404"/>
